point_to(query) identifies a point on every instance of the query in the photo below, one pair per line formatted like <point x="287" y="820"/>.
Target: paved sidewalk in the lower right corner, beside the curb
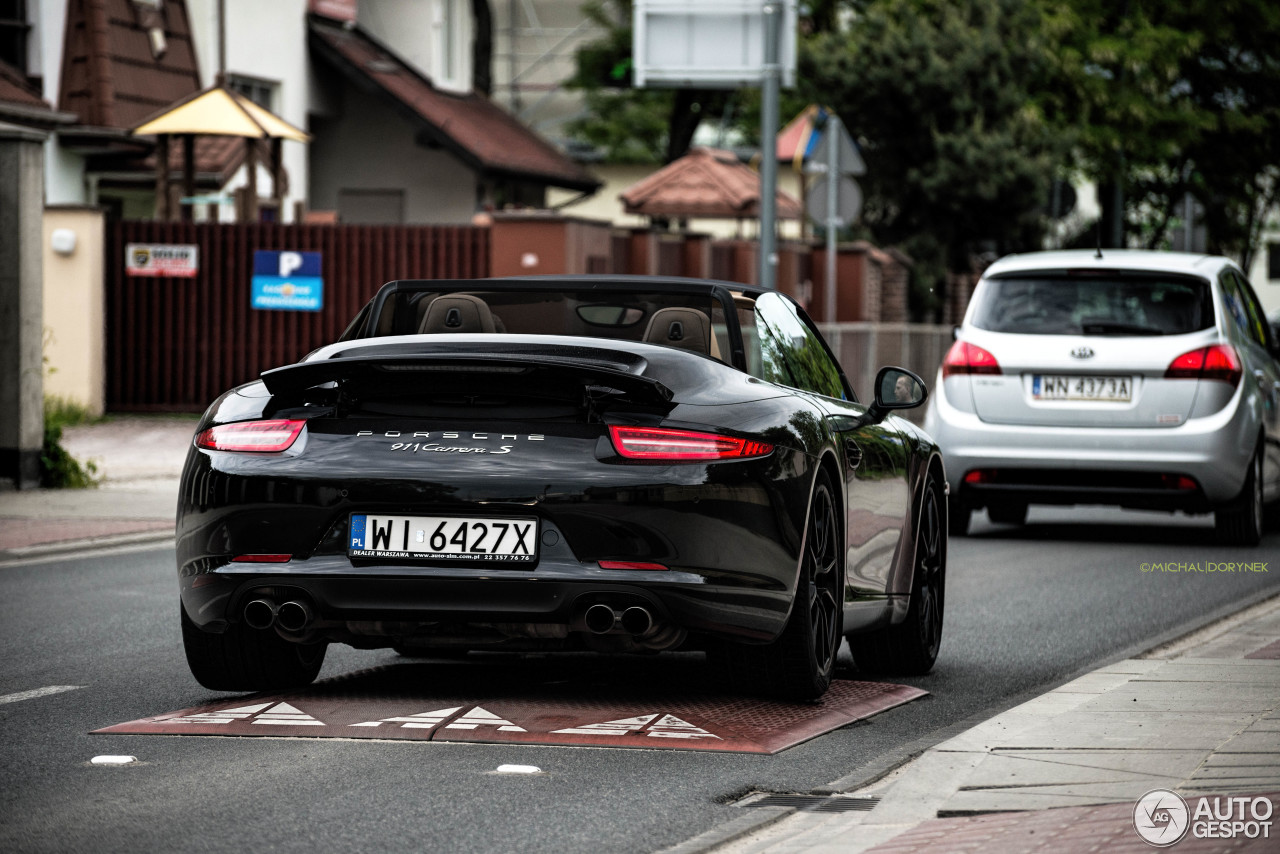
<point x="1200" y="718"/>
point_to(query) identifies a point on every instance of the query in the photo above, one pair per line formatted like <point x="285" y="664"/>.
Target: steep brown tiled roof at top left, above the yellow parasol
<point x="112" y="76"/>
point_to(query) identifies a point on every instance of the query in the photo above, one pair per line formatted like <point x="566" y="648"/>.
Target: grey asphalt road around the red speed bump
<point x="1026" y="610"/>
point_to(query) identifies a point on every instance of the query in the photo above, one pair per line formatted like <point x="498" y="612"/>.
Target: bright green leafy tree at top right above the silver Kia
<point x="1167" y="99"/>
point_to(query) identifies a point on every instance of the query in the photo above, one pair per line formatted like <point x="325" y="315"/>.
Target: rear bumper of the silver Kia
<point x="1122" y="467"/>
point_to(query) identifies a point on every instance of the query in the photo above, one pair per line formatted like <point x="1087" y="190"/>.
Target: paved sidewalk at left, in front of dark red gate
<point x="140" y="460"/>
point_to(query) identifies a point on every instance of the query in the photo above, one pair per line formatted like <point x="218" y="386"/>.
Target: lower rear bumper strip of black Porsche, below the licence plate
<point x="395" y="601"/>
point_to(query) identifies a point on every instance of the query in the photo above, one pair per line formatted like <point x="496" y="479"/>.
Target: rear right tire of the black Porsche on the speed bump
<point x="799" y="665"/>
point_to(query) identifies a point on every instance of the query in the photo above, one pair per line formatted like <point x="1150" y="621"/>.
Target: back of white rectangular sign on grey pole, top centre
<point x="708" y="44"/>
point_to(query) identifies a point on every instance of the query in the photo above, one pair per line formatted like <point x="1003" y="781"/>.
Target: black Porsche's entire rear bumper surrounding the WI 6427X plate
<point x="729" y="535"/>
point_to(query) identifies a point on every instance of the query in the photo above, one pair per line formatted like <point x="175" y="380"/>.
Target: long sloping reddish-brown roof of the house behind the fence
<point x="477" y="131"/>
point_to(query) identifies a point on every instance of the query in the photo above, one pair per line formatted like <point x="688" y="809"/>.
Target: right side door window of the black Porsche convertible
<point x="790" y="353"/>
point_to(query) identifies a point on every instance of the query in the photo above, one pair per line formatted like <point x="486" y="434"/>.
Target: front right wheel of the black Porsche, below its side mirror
<point x="912" y="647"/>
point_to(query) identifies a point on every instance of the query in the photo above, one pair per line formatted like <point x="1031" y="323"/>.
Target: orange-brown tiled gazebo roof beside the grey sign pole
<point x="707" y="184"/>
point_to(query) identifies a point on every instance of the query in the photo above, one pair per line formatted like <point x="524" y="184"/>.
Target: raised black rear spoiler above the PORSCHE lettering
<point x="620" y="378"/>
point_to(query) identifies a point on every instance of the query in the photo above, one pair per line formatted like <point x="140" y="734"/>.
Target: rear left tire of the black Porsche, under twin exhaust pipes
<point x="249" y="660"/>
